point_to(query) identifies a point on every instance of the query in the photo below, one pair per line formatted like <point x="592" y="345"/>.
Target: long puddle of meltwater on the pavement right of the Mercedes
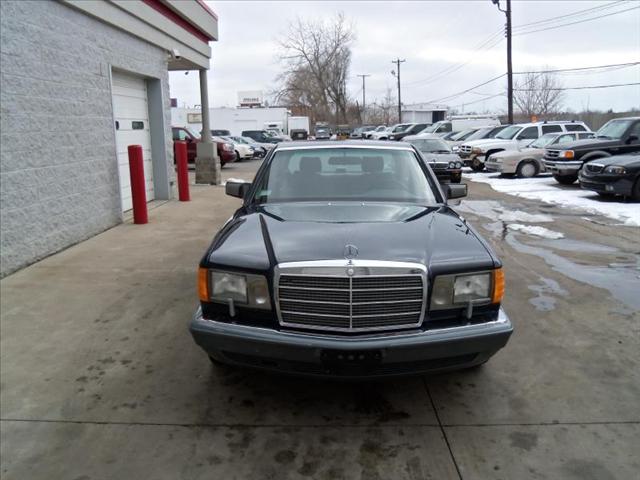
<point x="622" y="283"/>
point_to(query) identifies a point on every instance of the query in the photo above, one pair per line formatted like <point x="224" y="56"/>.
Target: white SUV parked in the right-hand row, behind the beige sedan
<point x="514" y="137"/>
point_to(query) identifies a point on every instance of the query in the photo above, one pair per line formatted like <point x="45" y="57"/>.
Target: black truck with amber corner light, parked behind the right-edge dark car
<point x="617" y="136"/>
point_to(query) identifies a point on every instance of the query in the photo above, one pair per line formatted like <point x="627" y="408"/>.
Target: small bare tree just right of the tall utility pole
<point x="538" y="94"/>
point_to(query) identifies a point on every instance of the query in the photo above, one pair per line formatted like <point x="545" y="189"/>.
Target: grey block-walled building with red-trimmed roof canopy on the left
<point x="82" y="80"/>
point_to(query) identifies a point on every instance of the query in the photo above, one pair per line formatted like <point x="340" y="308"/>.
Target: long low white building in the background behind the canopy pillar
<point x="233" y="119"/>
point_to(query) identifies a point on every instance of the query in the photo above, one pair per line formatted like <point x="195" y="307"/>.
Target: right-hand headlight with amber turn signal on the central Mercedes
<point x="457" y="291"/>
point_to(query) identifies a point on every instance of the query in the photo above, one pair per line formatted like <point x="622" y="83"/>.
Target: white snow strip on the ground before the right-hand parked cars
<point x="546" y="189"/>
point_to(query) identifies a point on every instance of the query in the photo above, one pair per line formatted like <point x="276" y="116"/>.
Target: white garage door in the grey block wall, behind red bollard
<point x="131" y="115"/>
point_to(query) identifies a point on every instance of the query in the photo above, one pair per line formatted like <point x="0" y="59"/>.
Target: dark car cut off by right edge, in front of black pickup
<point x="617" y="175"/>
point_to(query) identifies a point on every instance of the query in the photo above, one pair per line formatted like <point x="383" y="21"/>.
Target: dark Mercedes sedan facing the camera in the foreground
<point x="345" y="260"/>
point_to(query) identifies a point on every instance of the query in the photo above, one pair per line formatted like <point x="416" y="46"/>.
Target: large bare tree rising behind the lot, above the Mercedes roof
<point x="316" y="55"/>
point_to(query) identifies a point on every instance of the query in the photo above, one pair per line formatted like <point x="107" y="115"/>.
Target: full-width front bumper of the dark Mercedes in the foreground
<point x="376" y="355"/>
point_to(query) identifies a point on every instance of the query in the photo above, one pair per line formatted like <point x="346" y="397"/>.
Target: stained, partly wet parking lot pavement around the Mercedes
<point x="101" y="379"/>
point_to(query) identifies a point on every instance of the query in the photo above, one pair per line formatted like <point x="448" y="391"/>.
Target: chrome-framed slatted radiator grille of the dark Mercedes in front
<point x="350" y="297"/>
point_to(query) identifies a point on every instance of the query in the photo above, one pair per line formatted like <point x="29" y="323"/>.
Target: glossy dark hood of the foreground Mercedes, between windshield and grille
<point x="260" y="238"/>
